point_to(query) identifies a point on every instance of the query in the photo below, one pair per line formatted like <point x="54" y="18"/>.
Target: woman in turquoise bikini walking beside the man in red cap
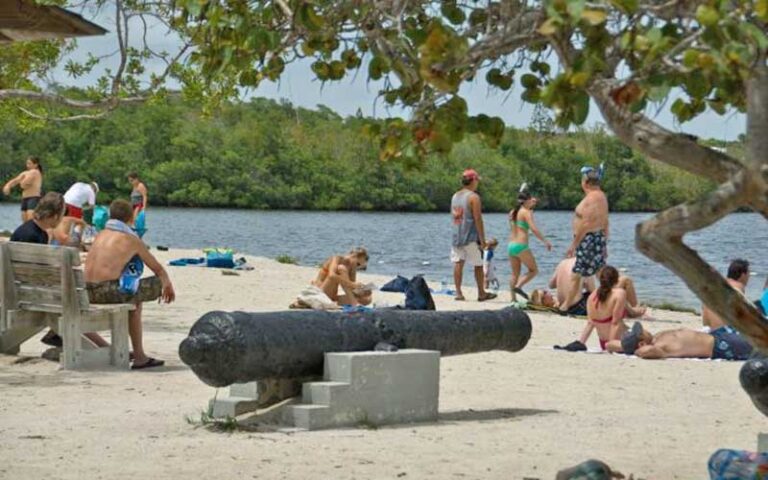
<point x="521" y="222"/>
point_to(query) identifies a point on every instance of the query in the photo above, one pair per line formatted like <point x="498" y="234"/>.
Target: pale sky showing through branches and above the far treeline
<point x="354" y="92"/>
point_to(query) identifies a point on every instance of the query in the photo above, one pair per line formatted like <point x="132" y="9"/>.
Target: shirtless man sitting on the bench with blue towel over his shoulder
<point x="112" y="271"/>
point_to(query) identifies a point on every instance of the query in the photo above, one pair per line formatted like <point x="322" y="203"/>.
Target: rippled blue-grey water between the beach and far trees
<point x="411" y="243"/>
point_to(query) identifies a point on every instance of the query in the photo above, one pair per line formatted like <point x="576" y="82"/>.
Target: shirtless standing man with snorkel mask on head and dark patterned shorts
<point x="590" y="234"/>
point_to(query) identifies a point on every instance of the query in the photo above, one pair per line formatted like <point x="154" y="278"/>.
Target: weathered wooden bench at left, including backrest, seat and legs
<point x="43" y="286"/>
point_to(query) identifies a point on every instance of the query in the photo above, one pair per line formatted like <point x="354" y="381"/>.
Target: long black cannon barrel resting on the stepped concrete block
<point x="237" y="347"/>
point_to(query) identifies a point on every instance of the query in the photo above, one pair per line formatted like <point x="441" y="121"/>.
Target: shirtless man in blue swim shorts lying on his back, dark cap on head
<point x="722" y="343"/>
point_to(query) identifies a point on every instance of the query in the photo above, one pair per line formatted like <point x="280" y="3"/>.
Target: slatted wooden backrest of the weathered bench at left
<point x="41" y="278"/>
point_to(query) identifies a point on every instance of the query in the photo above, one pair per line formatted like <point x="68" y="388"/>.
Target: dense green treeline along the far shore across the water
<point x="267" y="154"/>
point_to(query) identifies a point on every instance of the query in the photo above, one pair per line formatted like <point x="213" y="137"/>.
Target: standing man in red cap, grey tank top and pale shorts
<point x="468" y="234"/>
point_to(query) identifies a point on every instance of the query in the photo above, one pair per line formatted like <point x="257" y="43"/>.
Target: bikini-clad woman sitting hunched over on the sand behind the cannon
<point x="341" y="271"/>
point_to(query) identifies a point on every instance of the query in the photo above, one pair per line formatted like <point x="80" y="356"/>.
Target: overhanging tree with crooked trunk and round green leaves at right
<point x="623" y="54"/>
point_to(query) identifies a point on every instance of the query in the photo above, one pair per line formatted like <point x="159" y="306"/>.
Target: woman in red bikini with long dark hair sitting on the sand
<point x="607" y="307"/>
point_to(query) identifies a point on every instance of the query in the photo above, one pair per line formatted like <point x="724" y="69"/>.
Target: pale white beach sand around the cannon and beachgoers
<point x="502" y="415"/>
